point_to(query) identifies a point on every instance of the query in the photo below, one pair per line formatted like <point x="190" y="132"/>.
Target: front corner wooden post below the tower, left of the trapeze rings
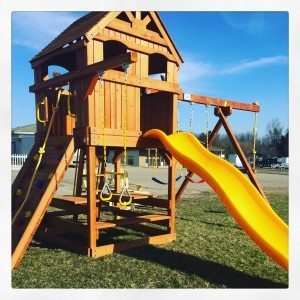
<point x="91" y="199"/>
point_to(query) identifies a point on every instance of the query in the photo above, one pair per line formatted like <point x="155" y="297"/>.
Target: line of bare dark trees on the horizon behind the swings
<point x="275" y="142"/>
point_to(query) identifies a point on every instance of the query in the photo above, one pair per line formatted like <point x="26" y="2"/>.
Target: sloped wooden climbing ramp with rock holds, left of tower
<point x="27" y="217"/>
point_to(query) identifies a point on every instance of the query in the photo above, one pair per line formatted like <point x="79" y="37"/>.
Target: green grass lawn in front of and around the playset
<point x="211" y="251"/>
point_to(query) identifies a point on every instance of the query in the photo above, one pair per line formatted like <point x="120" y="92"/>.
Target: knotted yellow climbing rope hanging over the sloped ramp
<point x="41" y="152"/>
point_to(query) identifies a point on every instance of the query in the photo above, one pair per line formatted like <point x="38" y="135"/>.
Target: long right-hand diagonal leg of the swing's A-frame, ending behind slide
<point x="239" y="150"/>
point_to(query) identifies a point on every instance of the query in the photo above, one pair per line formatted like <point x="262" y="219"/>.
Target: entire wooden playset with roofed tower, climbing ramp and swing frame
<point x="106" y="101"/>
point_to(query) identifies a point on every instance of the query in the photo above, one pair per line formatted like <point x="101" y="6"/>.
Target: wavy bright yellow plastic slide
<point x="247" y="206"/>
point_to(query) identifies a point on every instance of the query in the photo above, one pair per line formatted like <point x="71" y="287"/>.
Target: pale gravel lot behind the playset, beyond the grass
<point x="142" y="176"/>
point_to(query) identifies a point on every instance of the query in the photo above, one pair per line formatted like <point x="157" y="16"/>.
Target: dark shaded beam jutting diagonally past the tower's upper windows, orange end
<point x="110" y="63"/>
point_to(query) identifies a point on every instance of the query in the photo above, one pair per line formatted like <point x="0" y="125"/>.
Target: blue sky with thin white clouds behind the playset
<point x="241" y="56"/>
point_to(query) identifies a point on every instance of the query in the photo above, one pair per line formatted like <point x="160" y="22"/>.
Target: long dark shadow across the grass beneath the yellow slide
<point x="212" y="272"/>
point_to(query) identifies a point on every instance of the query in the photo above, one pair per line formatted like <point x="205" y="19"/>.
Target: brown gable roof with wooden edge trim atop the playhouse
<point x="91" y="24"/>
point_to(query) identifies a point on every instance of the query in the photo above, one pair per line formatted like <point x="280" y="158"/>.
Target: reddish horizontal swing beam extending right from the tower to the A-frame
<point x="218" y="102"/>
